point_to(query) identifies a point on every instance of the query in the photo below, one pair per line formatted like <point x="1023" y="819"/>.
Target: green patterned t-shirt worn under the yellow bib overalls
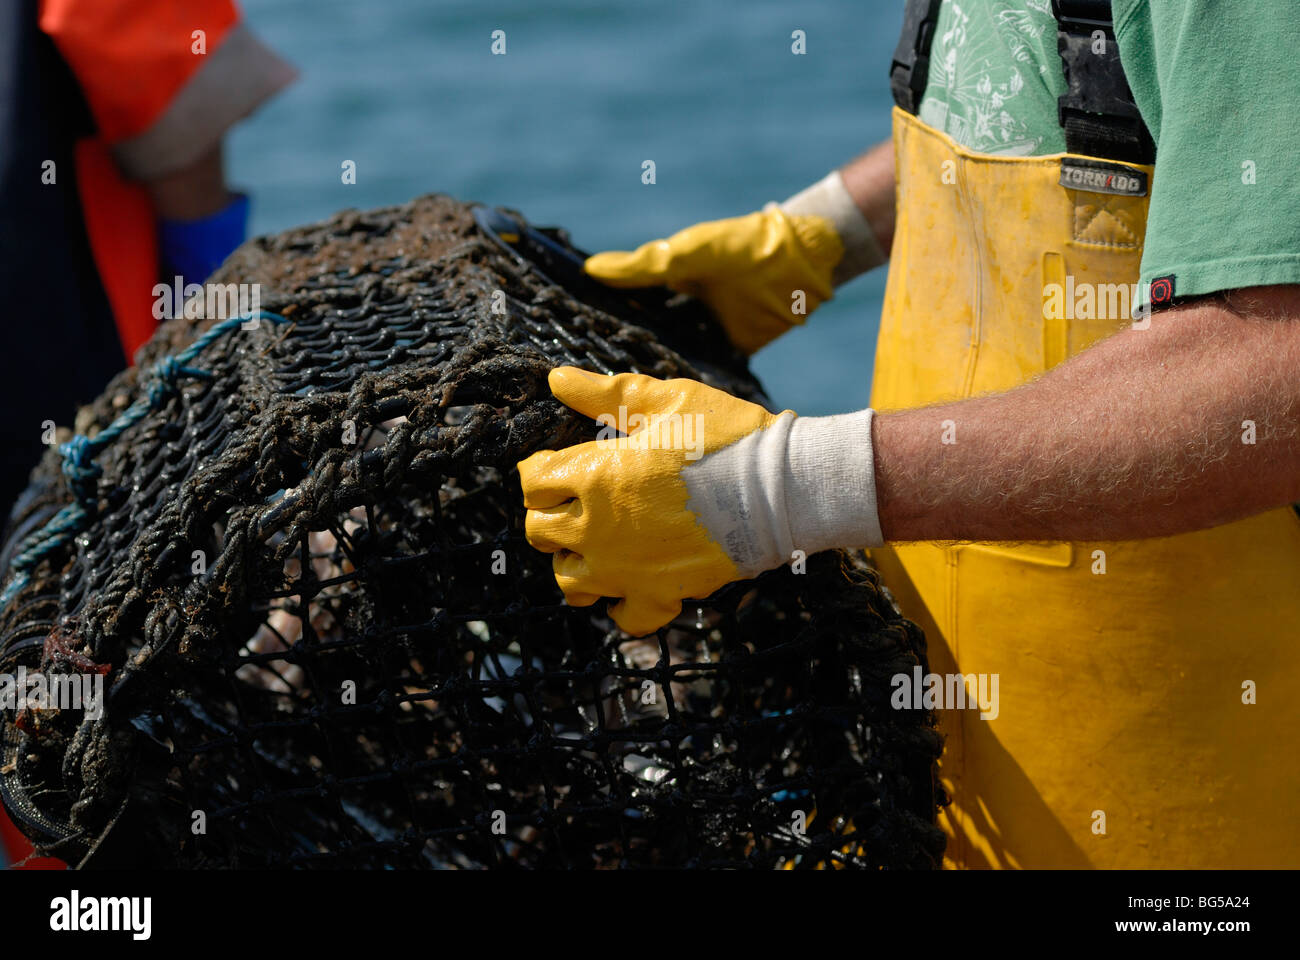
<point x="1219" y="85"/>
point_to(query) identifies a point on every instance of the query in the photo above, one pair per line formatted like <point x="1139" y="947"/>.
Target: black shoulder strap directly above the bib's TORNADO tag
<point x="1098" y="113"/>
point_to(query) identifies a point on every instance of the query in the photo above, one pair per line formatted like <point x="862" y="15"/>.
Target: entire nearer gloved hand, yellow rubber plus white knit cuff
<point x="704" y="490"/>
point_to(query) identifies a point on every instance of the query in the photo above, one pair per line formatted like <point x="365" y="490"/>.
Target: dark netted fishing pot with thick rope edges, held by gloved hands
<point x="293" y="547"/>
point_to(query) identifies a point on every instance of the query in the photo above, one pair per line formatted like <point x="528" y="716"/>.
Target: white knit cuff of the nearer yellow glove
<point x="805" y="483"/>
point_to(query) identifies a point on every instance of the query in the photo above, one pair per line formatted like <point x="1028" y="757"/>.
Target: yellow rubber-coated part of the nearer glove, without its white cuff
<point x="614" y="511"/>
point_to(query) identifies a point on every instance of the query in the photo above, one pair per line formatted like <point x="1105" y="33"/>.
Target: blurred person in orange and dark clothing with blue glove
<point x="112" y="119"/>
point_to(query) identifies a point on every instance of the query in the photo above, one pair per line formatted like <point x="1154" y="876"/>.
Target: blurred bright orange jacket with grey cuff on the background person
<point x="164" y="80"/>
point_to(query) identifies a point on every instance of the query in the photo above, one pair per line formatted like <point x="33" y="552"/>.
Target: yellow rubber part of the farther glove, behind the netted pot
<point x="747" y="270"/>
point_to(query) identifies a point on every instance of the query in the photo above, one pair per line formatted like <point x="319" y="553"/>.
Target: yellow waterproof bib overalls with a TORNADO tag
<point x="1125" y="733"/>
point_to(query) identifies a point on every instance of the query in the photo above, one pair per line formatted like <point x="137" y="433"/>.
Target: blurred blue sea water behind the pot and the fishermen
<point x="560" y="127"/>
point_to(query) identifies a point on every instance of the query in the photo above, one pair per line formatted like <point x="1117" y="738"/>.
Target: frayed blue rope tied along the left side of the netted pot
<point x="80" y="452"/>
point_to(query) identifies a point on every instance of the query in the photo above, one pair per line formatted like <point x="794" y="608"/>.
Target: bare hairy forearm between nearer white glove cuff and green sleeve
<point x="1143" y="435"/>
